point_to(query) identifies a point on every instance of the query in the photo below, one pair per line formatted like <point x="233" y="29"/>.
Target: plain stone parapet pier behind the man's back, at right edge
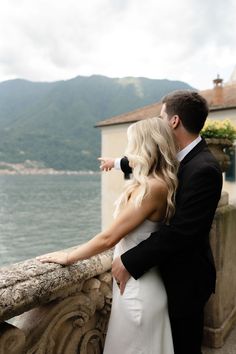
<point x="220" y="312"/>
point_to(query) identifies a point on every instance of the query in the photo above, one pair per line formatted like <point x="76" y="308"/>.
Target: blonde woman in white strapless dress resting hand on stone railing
<point x="139" y="322"/>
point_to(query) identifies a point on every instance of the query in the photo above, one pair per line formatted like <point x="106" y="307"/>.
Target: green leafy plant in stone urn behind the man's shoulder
<point x="219" y="135"/>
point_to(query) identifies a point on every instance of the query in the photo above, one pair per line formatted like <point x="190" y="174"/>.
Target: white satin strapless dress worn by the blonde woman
<point x="139" y="321"/>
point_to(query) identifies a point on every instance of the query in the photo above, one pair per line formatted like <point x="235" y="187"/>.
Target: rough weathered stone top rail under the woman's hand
<point x="28" y="284"/>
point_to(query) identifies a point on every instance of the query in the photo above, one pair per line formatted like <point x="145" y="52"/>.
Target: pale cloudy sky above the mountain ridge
<point x="51" y="40"/>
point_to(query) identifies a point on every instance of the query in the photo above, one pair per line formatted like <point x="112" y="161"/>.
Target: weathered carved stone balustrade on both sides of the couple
<point x="65" y="310"/>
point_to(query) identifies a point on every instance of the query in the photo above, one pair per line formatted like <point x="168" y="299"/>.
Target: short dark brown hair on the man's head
<point x="191" y="108"/>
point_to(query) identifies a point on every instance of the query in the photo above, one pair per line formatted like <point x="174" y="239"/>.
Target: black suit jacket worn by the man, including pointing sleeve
<point x="181" y="250"/>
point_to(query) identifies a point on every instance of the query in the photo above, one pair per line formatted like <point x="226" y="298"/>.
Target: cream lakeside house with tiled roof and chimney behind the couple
<point x="222" y="103"/>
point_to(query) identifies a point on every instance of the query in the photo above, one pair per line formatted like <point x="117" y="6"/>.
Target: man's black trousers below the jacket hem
<point x="187" y="334"/>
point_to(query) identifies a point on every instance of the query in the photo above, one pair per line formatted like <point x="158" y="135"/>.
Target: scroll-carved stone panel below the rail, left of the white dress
<point x="76" y="324"/>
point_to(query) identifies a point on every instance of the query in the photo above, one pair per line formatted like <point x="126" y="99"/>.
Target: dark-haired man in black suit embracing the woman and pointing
<point x="181" y="250"/>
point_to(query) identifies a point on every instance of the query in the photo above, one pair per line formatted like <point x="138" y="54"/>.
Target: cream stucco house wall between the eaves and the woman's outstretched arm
<point x="114" y="141"/>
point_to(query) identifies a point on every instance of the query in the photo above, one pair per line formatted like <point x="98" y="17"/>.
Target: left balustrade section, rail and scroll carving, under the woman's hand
<point x="60" y="310"/>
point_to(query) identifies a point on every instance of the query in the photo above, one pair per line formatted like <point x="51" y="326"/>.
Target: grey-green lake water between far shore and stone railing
<point x="39" y="214"/>
